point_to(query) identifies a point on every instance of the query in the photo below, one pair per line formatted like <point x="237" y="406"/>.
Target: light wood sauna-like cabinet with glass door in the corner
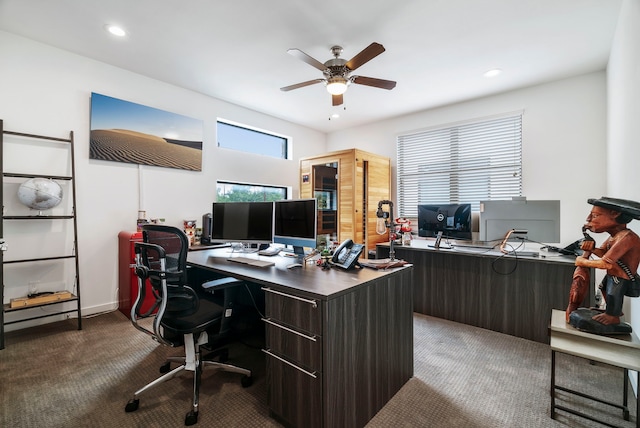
<point x="360" y="179"/>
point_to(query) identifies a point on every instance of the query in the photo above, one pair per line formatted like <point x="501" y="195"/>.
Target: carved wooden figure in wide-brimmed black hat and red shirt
<point x="619" y="255"/>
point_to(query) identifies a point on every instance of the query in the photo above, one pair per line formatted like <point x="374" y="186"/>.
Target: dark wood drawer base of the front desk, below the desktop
<point x="362" y="358"/>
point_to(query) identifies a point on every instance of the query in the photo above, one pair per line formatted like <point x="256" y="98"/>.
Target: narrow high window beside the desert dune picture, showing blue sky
<point x="239" y="137"/>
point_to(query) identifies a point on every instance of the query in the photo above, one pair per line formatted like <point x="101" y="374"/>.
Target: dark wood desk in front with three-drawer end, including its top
<point x="339" y="344"/>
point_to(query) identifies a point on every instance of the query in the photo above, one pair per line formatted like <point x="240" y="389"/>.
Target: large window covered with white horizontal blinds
<point x="465" y="163"/>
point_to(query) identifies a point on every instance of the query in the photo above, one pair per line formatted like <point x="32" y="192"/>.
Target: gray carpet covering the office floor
<point x="57" y="376"/>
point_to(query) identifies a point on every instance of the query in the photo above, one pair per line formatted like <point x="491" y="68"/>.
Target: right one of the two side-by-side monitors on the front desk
<point x="296" y="223"/>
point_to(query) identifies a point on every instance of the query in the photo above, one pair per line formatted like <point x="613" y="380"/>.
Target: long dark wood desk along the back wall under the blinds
<point x="488" y="289"/>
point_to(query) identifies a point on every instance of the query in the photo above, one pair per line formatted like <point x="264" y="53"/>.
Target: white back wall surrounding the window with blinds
<point x="564" y="134"/>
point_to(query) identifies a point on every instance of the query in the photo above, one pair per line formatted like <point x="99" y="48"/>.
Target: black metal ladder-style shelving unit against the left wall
<point x="75" y="292"/>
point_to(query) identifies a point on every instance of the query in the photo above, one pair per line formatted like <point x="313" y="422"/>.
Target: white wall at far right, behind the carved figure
<point x="623" y="153"/>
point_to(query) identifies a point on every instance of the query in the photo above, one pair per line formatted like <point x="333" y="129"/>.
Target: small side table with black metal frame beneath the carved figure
<point x="620" y="351"/>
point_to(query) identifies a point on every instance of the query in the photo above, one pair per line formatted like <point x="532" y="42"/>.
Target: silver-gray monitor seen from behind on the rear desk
<point x="540" y="220"/>
